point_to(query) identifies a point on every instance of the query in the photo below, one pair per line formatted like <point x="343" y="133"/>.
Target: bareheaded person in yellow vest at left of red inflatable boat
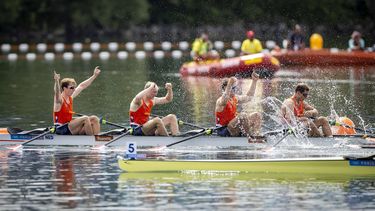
<point x="201" y="49"/>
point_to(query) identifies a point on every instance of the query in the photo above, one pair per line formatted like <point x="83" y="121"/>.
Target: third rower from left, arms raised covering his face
<point x="232" y="123"/>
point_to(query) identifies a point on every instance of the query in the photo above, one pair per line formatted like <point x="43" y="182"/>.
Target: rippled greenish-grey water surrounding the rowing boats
<point x="59" y="178"/>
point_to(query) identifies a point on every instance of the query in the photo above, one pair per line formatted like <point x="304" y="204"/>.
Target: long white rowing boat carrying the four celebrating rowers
<point x="7" y="138"/>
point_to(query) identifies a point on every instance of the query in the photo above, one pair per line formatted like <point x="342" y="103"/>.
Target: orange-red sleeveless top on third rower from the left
<point x="229" y="112"/>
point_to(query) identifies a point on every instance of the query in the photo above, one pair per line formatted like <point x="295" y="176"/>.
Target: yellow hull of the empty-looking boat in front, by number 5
<point x="335" y="165"/>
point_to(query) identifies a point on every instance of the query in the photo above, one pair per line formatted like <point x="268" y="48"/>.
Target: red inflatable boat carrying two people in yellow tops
<point x="243" y="66"/>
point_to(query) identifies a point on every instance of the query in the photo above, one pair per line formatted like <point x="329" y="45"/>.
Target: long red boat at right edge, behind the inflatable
<point x="325" y="57"/>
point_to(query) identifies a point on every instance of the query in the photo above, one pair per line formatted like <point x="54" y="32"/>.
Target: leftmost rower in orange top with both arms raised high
<point x="63" y="107"/>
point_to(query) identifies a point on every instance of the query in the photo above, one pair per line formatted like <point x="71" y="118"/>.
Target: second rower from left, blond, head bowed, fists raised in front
<point x="140" y="111"/>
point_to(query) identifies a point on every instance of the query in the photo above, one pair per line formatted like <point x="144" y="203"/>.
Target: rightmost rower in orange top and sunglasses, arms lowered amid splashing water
<point x="295" y="108"/>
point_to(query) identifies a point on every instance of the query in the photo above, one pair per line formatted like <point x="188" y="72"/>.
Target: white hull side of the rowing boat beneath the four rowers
<point x="155" y="141"/>
